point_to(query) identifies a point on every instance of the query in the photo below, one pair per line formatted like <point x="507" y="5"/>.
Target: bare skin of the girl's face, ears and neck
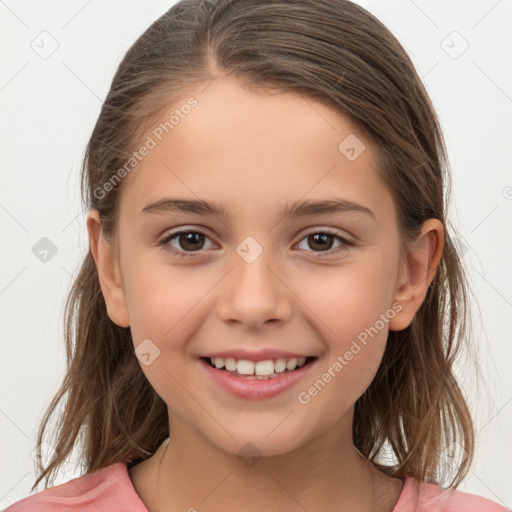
<point x="289" y="298"/>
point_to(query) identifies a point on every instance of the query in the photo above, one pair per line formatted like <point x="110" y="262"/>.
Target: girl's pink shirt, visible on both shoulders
<point x="110" y="489"/>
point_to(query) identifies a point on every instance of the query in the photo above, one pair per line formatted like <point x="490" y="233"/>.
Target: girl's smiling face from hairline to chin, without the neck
<point x="321" y="284"/>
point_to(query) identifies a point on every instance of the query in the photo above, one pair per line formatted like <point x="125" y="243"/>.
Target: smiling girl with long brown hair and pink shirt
<point x="300" y="357"/>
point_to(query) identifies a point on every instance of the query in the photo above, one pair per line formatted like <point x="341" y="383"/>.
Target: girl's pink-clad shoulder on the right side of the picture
<point x="431" y="497"/>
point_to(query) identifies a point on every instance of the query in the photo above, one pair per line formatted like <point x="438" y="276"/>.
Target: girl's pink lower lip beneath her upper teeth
<point x="256" y="389"/>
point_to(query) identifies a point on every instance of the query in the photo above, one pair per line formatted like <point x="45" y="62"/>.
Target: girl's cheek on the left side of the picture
<point x="164" y="316"/>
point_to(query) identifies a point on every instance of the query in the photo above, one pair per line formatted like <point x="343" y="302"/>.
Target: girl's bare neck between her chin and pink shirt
<point x="327" y="473"/>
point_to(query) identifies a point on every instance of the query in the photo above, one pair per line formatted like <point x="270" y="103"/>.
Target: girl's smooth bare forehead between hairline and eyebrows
<point x="255" y="151"/>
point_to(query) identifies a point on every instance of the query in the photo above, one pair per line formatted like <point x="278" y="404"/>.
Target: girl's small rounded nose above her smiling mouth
<point x="254" y="293"/>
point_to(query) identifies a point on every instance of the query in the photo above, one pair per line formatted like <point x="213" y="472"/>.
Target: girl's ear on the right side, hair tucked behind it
<point x="417" y="269"/>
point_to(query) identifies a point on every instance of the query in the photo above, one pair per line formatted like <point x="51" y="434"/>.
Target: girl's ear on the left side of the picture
<point x="107" y="264"/>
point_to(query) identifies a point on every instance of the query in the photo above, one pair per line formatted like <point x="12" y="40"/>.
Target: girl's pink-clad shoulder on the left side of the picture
<point x="107" y="489"/>
